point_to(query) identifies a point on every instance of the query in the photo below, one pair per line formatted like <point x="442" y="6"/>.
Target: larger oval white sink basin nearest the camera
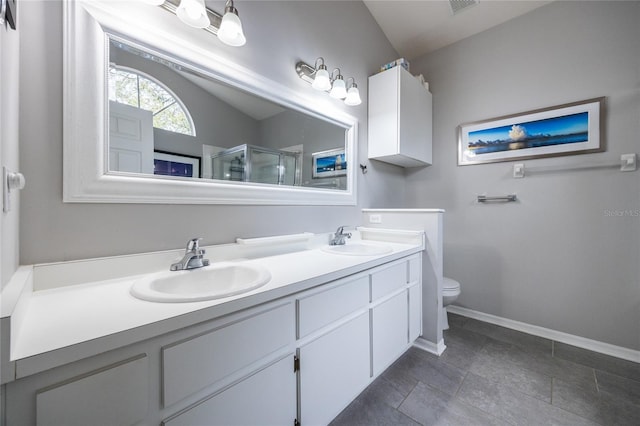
<point x="211" y="282"/>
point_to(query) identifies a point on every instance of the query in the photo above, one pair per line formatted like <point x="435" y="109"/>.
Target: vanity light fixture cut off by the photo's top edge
<point x="195" y="13"/>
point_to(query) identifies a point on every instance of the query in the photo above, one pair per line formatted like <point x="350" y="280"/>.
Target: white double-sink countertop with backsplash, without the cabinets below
<point x="133" y="297"/>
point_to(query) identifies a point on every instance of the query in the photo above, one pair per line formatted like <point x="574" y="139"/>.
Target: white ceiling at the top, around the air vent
<point x="417" y="27"/>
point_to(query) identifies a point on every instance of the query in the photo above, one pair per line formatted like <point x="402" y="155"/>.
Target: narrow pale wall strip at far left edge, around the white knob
<point x="9" y="108"/>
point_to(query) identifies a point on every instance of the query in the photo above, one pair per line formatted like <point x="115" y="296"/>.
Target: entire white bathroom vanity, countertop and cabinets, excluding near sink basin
<point x="298" y="349"/>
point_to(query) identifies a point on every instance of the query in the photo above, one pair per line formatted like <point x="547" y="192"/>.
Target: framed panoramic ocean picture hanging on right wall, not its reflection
<point x="568" y="129"/>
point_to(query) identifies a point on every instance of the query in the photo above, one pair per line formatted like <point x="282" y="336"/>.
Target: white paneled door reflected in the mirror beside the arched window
<point x="130" y="139"/>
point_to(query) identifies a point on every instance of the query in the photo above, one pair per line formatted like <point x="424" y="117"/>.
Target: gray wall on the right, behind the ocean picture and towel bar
<point x="558" y="258"/>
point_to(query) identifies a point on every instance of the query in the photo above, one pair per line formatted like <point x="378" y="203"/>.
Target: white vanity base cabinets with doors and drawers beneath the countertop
<point x="240" y="369"/>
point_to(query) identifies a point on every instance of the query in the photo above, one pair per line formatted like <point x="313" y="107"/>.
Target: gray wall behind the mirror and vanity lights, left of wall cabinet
<point x="279" y="34"/>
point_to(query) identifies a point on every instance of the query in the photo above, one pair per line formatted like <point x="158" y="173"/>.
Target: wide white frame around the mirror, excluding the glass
<point x="85" y="133"/>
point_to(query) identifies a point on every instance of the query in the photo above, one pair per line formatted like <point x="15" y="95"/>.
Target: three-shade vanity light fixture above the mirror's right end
<point x="319" y="78"/>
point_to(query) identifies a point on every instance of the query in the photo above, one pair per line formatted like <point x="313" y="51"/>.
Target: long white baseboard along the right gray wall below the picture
<point x="558" y="336"/>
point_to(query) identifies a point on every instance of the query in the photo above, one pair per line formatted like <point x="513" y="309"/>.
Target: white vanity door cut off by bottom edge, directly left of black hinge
<point x="266" y="398"/>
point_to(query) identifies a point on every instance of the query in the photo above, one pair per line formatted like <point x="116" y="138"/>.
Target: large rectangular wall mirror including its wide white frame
<point x="151" y="118"/>
